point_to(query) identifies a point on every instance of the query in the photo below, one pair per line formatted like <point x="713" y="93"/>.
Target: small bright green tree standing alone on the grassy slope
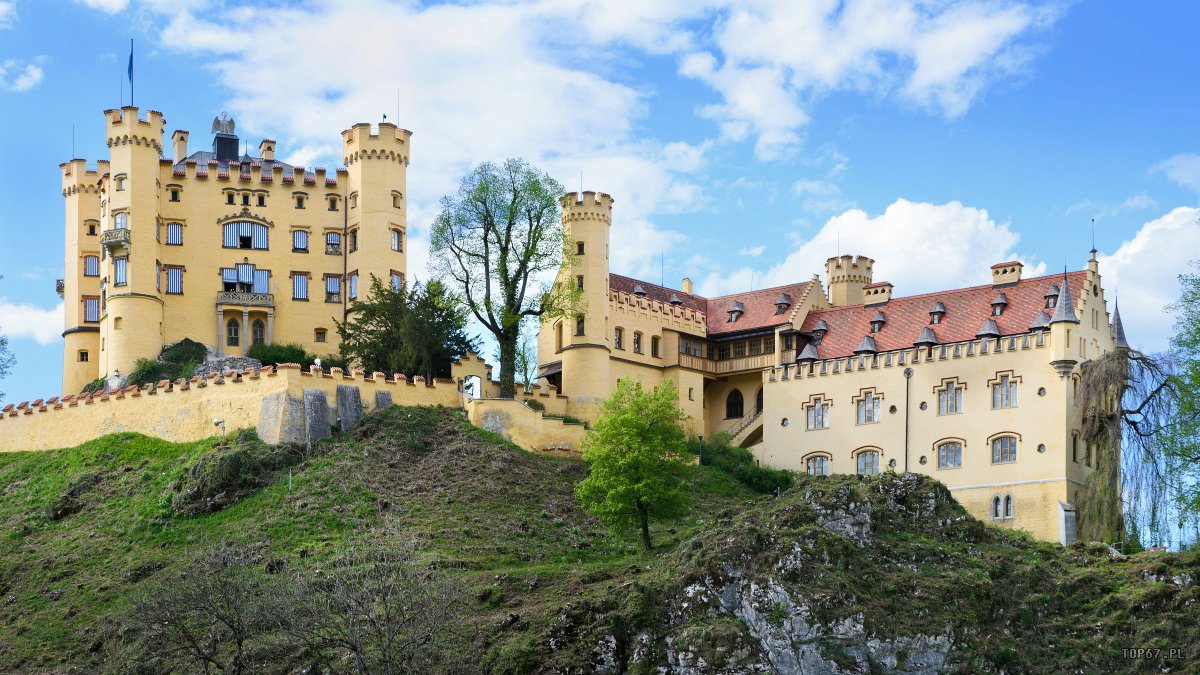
<point x="638" y="455"/>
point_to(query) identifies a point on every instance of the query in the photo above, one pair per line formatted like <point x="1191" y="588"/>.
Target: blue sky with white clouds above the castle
<point x="743" y="142"/>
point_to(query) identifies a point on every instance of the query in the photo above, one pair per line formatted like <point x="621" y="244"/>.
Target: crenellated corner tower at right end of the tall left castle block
<point x="377" y="217"/>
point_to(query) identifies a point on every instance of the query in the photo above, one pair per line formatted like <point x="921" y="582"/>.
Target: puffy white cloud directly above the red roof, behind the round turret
<point x="916" y="246"/>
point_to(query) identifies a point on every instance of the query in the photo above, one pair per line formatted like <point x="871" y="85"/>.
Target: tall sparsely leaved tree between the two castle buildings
<point x="495" y="238"/>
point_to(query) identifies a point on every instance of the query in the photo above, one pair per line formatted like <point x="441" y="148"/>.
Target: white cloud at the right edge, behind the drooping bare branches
<point x="1144" y="273"/>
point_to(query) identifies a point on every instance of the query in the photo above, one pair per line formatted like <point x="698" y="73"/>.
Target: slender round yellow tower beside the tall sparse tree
<point x="587" y="219"/>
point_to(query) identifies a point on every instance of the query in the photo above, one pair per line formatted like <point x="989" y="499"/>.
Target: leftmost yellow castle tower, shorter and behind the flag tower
<point x="81" y="279"/>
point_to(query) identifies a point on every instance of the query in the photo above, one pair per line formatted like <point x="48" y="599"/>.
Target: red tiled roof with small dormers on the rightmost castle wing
<point x="967" y="310"/>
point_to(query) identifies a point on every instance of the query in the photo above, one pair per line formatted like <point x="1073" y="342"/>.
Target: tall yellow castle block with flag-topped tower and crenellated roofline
<point x="164" y="230"/>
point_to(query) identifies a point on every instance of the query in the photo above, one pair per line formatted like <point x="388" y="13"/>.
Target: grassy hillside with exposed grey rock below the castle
<point x="837" y="575"/>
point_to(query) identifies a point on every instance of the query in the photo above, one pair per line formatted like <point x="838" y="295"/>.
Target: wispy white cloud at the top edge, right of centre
<point x="778" y="55"/>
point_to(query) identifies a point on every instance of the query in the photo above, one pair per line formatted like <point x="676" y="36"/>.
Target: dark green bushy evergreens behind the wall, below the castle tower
<point x="417" y="332"/>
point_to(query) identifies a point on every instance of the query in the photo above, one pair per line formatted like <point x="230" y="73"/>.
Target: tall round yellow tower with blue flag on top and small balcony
<point x="133" y="308"/>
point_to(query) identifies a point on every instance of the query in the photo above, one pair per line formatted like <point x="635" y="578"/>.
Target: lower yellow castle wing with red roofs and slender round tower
<point x="973" y="386"/>
